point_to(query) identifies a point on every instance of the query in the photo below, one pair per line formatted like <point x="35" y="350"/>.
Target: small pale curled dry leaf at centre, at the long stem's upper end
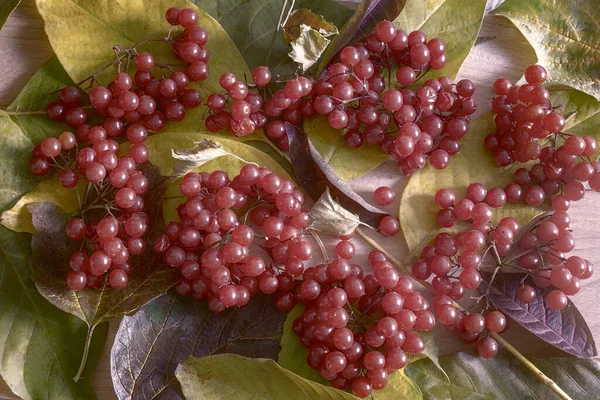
<point x="330" y="218"/>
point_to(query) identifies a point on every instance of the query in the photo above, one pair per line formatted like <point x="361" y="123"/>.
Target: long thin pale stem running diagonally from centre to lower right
<point x="511" y="349"/>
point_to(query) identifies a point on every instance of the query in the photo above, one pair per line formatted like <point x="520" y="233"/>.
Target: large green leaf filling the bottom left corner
<point x="40" y="346"/>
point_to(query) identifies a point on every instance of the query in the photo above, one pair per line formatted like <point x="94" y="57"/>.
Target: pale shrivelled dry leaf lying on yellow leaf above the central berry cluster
<point x="202" y="152"/>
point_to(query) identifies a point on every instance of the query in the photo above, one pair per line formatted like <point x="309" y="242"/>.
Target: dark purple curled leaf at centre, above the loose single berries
<point x="315" y="175"/>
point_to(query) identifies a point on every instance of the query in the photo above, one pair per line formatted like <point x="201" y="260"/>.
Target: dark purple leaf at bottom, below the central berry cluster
<point x="176" y="328"/>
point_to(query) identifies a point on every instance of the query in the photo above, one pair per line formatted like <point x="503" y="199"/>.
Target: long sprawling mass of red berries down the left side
<point x="111" y="222"/>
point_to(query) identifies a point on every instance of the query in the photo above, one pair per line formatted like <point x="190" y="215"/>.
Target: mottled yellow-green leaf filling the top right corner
<point x="565" y="35"/>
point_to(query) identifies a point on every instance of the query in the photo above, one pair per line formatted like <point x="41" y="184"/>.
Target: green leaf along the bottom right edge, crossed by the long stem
<point x="473" y="377"/>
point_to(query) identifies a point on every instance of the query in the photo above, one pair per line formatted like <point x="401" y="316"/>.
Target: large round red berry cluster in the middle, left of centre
<point x="216" y="251"/>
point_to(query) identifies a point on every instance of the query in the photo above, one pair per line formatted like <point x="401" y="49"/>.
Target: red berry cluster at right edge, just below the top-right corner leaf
<point x="529" y="129"/>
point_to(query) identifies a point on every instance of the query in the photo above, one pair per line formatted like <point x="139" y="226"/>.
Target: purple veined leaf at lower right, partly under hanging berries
<point x="565" y="329"/>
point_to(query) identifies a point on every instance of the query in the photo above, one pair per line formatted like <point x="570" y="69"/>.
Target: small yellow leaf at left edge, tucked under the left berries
<point x="18" y="218"/>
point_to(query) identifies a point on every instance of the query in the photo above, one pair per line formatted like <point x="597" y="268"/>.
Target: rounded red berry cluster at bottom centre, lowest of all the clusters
<point x="358" y="327"/>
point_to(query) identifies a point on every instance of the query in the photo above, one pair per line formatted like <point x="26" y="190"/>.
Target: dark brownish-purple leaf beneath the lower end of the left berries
<point x="49" y="262"/>
